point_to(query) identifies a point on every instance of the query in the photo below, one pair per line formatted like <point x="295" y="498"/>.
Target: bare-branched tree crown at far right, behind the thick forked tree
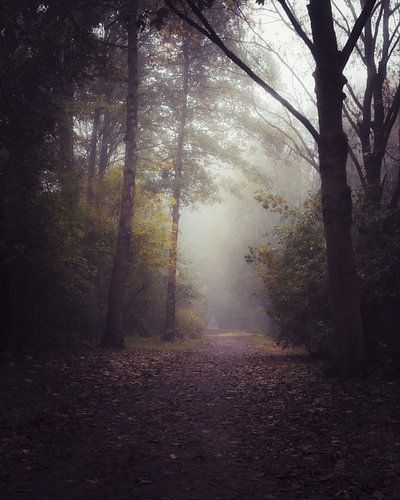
<point x="371" y="112"/>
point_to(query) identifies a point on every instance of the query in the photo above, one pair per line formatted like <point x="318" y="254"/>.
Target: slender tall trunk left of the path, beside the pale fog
<point x="170" y="326"/>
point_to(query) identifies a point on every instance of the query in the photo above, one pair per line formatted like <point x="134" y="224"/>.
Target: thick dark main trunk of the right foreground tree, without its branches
<point x="348" y="348"/>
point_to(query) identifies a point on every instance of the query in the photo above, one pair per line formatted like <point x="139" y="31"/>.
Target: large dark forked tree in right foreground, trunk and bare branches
<point x="349" y="350"/>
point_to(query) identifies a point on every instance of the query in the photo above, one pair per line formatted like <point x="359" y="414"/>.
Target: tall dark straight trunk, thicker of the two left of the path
<point x="114" y="334"/>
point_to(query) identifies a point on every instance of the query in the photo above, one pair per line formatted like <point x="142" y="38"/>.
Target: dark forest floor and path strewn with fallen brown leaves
<point x="225" y="419"/>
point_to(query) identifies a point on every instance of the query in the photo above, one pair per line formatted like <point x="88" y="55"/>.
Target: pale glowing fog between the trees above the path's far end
<point x="215" y="239"/>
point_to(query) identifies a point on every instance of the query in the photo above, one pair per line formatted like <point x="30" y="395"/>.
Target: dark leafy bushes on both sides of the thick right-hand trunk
<point x="295" y="275"/>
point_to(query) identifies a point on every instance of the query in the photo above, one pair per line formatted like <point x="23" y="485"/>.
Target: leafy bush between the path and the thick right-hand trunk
<point x="294" y="273"/>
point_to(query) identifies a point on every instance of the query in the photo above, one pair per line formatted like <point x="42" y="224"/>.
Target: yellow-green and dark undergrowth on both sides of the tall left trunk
<point x="63" y="290"/>
